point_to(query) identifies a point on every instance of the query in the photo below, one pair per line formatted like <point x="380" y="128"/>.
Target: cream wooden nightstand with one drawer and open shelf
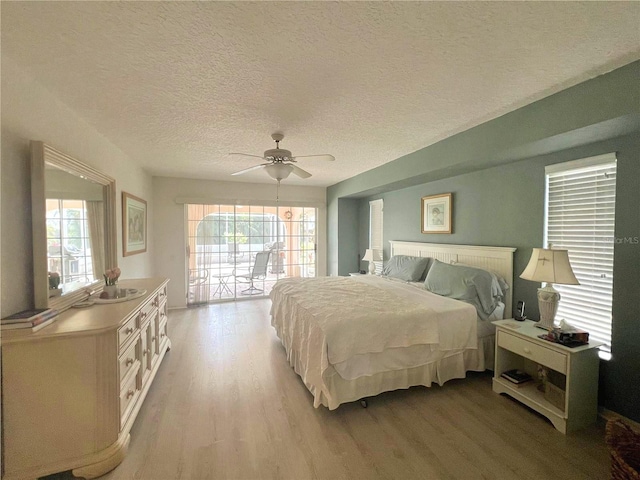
<point x="518" y="347"/>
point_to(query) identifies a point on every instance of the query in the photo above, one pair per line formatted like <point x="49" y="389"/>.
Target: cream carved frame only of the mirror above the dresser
<point x="42" y="154"/>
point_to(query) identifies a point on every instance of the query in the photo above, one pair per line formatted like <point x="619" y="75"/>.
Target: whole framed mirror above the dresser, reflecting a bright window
<point x="74" y="227"/>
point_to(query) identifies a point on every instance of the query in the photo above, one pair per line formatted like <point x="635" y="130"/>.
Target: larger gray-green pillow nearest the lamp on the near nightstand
<point x="468" y="284"/>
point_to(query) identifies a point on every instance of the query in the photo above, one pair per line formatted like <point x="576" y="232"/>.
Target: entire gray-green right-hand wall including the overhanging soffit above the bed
<point x="499" y="194"/>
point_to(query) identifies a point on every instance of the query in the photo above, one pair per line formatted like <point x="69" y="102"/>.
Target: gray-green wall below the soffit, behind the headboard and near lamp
<point x="504" y="206"/>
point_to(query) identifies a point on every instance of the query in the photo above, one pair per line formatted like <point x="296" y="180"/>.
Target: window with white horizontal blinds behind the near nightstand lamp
<point x="580" y="217"/>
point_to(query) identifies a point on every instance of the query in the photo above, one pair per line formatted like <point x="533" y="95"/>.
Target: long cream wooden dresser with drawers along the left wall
<point x="72" y="390"/>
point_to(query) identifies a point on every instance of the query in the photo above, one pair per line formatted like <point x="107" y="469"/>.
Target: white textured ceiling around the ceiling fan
<point x="179" y="85"/>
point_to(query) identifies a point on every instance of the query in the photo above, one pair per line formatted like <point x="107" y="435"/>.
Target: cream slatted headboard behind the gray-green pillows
<point x="498" y="260"/>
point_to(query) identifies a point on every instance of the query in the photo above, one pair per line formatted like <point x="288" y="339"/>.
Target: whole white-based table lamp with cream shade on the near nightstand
<point x="551" y="266"/>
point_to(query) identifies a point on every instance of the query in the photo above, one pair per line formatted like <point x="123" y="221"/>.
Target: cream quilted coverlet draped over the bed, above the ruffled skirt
<point x="326" y="321"/>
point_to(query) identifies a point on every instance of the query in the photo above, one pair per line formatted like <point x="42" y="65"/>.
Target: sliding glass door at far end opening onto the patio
<point x="239" y="251"/>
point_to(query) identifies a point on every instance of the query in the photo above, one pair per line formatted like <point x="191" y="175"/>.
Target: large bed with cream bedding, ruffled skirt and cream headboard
<point x="433" y="339"/>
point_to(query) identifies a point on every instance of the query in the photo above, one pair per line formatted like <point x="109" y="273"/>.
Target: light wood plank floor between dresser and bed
<point x="226" y="405"/>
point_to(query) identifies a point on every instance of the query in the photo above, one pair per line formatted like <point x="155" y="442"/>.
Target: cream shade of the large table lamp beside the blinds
<point x="550" y="265"/>
